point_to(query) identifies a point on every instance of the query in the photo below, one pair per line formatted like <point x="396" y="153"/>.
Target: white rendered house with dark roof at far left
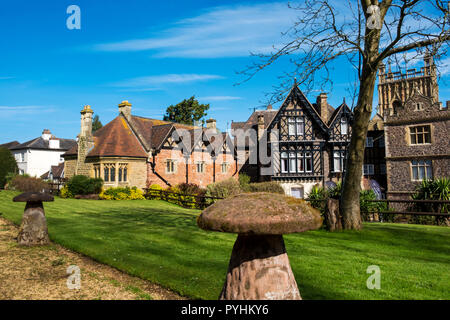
<point x="35" y="157"/>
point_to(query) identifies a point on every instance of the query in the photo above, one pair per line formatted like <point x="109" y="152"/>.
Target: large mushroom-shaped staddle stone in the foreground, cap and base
<point x="259" y="266"/>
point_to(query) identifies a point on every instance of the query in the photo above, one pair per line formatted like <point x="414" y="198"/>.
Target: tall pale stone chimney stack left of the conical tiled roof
<point x="85" y="141"/>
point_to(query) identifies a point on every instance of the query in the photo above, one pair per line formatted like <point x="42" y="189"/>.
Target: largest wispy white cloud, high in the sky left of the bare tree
<point x="219" y="32"/>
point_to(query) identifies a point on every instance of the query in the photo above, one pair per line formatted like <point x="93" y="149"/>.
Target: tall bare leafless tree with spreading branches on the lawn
<point x="364" y="32"/>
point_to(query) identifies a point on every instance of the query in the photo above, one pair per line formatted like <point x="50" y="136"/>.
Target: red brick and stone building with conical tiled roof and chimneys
<point x="137" y="151"/>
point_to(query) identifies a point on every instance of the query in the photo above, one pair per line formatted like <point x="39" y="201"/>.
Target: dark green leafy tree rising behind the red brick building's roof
<point x="187" y="111"/>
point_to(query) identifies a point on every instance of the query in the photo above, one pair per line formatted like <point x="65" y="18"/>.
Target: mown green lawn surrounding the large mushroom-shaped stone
<point x="162" y="243"/>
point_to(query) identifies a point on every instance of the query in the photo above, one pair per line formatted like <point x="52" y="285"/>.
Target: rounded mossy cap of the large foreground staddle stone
<point x="260" y="213"/>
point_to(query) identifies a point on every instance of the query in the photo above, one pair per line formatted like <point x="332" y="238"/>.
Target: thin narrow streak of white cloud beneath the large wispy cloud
<point x="166" y="78"/>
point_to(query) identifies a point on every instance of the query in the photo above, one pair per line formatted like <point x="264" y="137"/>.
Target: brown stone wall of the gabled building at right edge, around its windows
<point x="400" y="152"/>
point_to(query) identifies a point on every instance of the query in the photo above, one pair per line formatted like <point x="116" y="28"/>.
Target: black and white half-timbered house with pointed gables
<point x="307" y="143"/>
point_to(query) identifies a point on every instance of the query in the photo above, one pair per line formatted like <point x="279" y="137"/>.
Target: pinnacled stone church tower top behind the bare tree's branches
<point x="395" y="88"/>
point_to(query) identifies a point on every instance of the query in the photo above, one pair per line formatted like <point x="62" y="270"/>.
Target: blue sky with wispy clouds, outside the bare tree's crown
<point x="152" y="53"/>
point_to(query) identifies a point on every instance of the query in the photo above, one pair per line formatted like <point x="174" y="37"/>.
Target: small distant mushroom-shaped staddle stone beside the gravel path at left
<point x="33" y="230"/>
